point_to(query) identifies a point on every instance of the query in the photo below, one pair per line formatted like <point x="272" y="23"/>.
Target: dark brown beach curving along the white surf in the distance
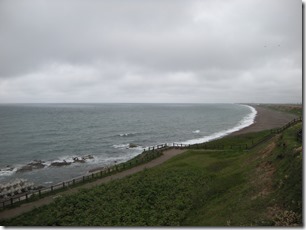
<point x="266" y="119"/>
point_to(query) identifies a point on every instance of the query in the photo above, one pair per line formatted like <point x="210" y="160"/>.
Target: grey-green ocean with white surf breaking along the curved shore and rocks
<point x="56" y="132"/>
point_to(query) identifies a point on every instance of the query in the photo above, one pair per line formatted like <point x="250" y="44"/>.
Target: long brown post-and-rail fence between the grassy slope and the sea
<point x="147" y="155"/>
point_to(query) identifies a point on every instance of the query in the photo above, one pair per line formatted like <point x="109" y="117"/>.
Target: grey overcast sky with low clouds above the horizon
<point x="203" y="51"/>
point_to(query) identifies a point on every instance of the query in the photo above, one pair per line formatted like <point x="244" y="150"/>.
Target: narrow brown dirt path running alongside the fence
<point x="29" y="206"/>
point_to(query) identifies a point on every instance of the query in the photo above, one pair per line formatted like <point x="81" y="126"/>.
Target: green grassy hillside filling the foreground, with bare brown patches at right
<point x="200" y="187"/>
